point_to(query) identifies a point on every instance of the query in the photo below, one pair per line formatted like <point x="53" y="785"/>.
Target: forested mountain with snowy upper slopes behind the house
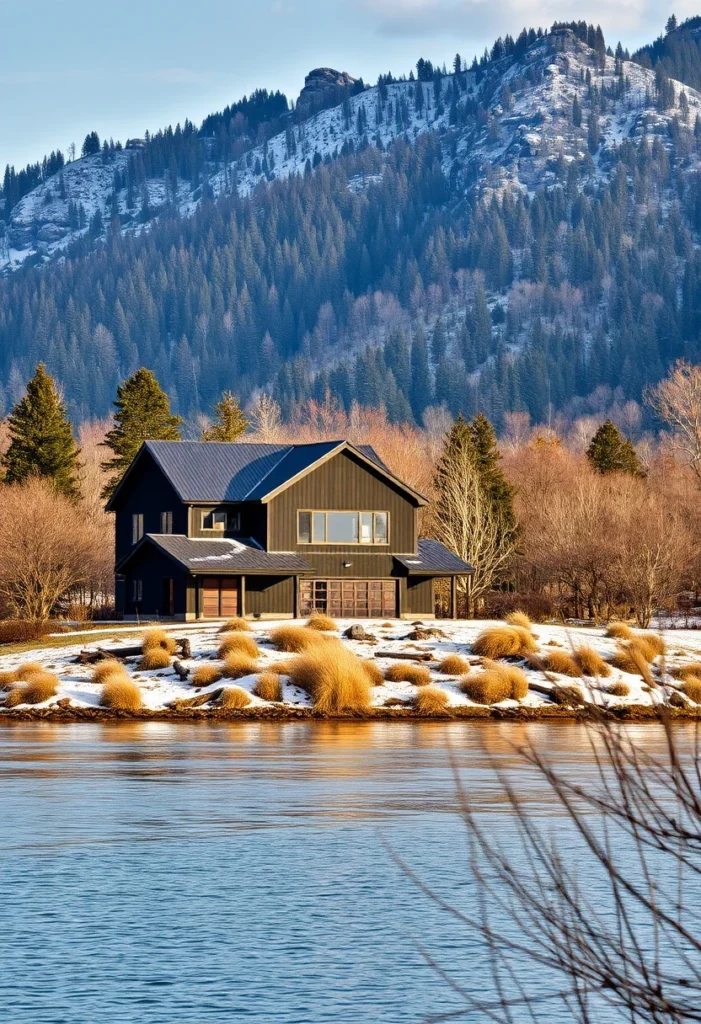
<point x="519" y="236"/>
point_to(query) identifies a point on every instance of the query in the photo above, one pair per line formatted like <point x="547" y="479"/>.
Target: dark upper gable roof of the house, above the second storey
<point x="220" y="472"/>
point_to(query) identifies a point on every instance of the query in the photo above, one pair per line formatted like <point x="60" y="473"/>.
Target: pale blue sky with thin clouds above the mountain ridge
<point x="70" y="67"/>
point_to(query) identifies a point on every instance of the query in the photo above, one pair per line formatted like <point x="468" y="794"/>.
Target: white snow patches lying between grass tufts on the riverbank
<point x="161" y="688"/>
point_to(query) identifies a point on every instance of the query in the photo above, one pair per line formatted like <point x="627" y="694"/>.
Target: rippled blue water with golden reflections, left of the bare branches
<point x="193" y="874"/>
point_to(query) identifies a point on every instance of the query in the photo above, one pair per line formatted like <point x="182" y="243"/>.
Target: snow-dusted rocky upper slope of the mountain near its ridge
<point x="513" y="129"/>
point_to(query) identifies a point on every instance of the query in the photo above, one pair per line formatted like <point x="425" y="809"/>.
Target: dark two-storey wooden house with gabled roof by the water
<point x="206" y="531"/>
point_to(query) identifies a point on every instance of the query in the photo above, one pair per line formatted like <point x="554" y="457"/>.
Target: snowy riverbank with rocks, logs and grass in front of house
<point x="193" y="684"/>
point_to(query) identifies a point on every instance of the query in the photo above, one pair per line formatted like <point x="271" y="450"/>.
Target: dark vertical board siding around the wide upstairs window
<point x="343" y="484"/>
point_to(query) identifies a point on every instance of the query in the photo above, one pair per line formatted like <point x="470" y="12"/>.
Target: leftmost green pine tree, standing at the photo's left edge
<point x="42" y="443"/>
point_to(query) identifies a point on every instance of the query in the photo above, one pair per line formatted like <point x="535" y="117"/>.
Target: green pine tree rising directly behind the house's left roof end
<point x="143" y="414"/>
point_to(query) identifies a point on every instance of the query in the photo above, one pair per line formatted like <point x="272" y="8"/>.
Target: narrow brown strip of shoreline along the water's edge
<point x="620" y="713"/>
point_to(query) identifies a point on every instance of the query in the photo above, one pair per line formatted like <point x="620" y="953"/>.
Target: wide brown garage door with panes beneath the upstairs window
<point x="349" y="599"/>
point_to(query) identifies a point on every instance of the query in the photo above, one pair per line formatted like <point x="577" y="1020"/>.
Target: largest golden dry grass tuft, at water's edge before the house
<point x="335" y="679"/>
